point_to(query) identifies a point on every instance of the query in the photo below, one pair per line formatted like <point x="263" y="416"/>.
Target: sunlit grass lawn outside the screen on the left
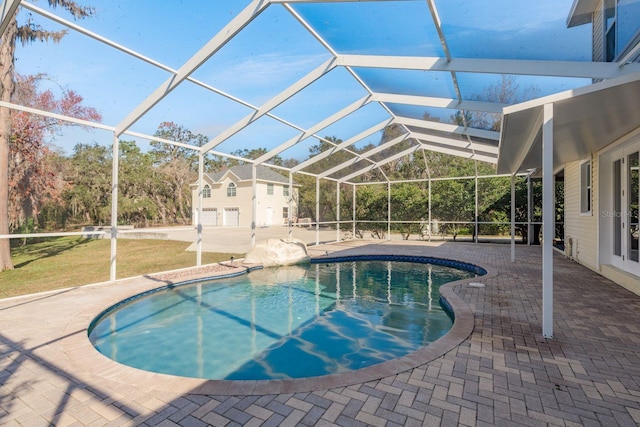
<point x="71" y="261"/>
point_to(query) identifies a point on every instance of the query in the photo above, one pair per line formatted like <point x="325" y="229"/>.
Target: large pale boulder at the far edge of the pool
<point x="274" y="252"/>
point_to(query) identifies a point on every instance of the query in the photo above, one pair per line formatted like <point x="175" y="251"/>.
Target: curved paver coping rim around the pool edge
<point x="81" y="352"/>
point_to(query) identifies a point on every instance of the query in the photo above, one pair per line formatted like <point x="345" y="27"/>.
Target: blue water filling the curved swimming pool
<point x="278" y="323"/>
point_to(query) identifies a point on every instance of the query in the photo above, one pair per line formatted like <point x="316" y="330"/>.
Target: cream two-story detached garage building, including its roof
<point x="226" y="198"/>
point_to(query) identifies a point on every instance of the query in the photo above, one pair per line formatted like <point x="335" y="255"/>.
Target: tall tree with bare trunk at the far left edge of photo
<point x="25" y="33"/>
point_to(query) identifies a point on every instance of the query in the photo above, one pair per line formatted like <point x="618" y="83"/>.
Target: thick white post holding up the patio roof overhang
<point x="548" y="218"/>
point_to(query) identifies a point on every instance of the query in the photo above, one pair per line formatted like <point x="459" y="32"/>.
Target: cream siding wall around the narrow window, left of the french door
<point x="581" y="230"/>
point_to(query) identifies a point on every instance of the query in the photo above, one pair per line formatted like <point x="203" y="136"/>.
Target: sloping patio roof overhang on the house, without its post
<point x="585" y="120"/>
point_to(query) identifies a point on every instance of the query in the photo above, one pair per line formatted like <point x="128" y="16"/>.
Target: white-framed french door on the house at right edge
<point x="626" y="223"/>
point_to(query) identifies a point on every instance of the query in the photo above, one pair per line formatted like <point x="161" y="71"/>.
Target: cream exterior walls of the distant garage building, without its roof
<point x="243" y="201"/>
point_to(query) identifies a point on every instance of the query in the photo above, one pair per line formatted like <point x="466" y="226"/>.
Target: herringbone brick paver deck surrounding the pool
<point x="501" y="371"/>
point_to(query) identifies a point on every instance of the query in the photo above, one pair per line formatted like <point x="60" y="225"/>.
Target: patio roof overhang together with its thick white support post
<point x="552" y="129"/>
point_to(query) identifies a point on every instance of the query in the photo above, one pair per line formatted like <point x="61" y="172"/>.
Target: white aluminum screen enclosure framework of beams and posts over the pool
<point x="464" y="141"/>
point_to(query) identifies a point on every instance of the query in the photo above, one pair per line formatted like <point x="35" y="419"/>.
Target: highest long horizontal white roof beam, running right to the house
<point x="577" y="69"/>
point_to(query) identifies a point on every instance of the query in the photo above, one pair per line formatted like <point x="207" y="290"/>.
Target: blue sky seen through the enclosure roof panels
<point x="274" y="51"/>
